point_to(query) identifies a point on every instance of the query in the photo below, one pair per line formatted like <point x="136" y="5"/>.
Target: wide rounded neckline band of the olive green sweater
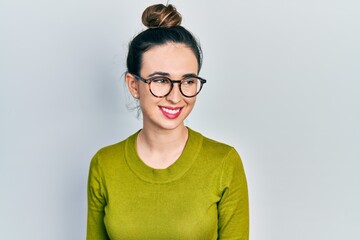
<point x="171" y="173"/>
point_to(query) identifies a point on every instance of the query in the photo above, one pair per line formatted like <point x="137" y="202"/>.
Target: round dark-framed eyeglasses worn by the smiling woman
<point x="161" y="86"/>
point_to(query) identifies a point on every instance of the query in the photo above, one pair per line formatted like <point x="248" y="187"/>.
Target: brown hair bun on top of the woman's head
<point x="159" y="15"/>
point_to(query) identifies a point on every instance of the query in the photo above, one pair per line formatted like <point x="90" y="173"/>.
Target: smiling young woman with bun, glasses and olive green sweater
<point x="166" y="181"/>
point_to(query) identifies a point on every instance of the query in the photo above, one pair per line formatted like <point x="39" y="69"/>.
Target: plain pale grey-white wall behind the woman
<point x="283" y="88"/>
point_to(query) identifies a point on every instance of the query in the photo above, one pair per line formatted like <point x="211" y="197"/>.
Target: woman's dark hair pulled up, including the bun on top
<point x="163" y="24"/>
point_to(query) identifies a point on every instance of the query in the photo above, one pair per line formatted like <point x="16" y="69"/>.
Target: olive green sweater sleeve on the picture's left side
<point x="96" y="203"/>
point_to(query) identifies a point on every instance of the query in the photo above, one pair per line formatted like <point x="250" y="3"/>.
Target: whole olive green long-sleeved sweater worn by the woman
<point x="203" y="195"/>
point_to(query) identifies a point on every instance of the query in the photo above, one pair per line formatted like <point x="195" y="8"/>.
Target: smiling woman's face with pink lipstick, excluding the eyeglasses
<point x="174" y="61"/>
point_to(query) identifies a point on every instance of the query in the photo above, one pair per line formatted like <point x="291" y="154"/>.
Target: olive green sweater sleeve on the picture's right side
<point x="234" y="205"/>
